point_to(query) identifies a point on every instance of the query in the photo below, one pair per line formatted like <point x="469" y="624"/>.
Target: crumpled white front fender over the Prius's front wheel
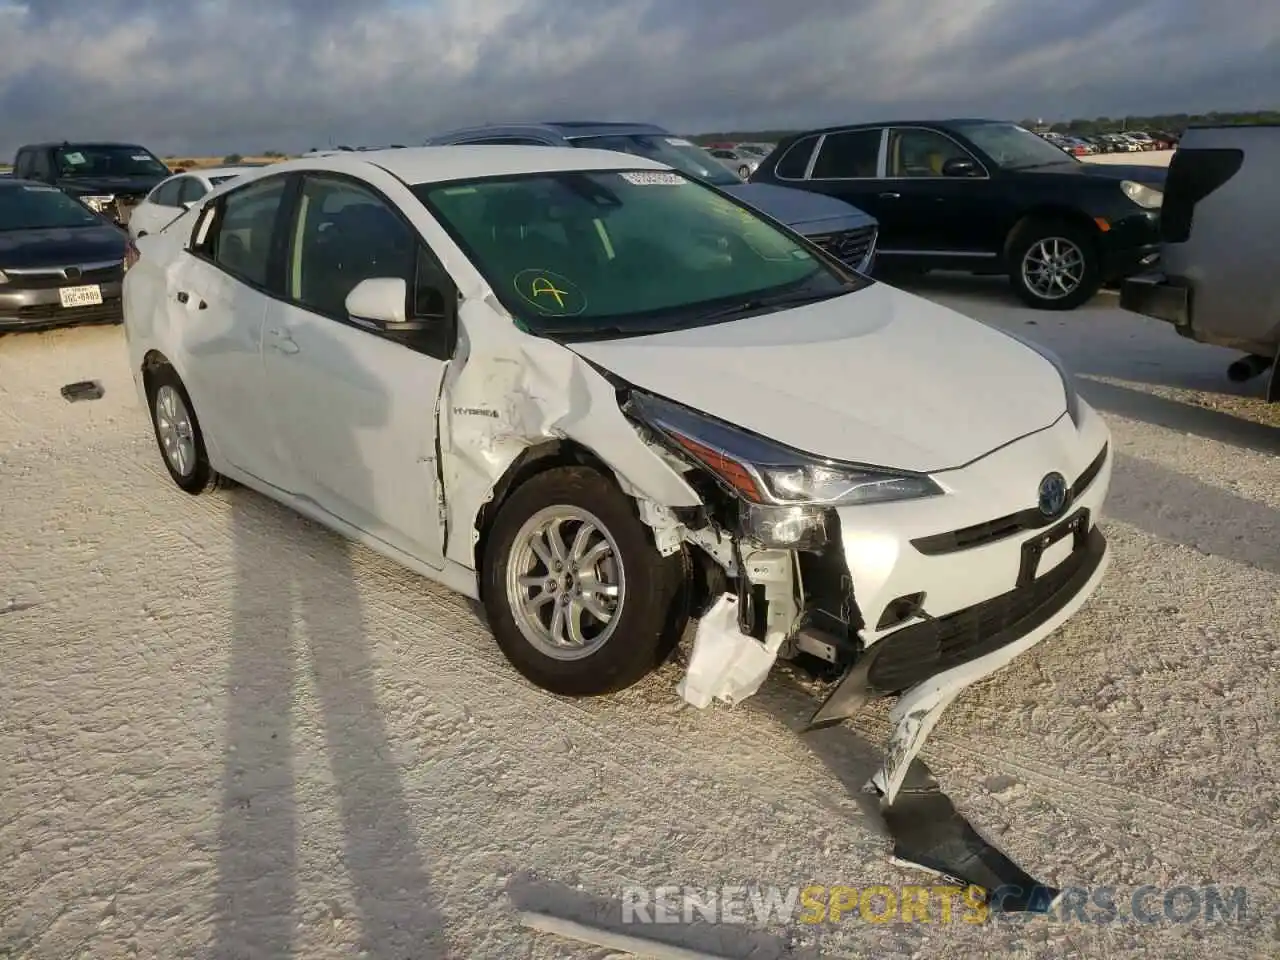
<point x="506" y="392"/>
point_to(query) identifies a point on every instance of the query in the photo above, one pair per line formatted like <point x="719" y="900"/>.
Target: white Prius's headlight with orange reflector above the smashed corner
<point x="785" y="493"/>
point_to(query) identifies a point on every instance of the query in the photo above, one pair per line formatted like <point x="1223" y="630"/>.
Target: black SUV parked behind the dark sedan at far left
<point x="111" y="179"/>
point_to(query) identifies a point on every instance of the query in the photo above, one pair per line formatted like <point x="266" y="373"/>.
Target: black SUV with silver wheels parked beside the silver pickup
<point x="986" y="198"/>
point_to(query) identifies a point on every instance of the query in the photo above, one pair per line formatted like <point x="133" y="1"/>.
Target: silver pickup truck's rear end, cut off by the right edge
<point x="1219" y="277"/>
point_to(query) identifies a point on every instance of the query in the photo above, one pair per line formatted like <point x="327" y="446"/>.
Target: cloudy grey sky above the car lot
<point x="213" y="77"/>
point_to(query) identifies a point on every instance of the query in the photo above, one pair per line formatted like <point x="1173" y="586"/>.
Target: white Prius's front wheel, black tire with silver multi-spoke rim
<point x="648" y="616"/>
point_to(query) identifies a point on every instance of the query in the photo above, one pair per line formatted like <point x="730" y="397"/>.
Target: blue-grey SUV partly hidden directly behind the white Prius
<point x="843" y="231"/>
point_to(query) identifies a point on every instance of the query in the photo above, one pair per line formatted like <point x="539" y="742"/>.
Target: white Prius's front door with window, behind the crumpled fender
<point x="355" y="408"/>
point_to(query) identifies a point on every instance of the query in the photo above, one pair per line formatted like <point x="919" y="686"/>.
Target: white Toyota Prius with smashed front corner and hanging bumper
<point x="607" y="400"/>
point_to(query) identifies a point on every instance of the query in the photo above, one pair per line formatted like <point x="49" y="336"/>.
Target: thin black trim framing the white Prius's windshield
<point x="712" y="312"/>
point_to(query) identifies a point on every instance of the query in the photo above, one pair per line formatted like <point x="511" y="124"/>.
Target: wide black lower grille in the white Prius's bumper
<point x="920" y="652"/>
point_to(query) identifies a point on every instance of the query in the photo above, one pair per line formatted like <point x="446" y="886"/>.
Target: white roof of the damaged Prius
<point x="463" y="163"/>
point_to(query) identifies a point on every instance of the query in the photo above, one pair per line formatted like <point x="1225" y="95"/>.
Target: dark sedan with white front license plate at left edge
<point x="61" y="263"/>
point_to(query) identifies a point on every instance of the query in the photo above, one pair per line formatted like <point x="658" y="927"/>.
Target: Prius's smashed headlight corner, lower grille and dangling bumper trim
<point x="778" y="584"/>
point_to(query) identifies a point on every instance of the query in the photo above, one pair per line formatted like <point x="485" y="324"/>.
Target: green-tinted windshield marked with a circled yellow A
<point x="627" y="253"/>
